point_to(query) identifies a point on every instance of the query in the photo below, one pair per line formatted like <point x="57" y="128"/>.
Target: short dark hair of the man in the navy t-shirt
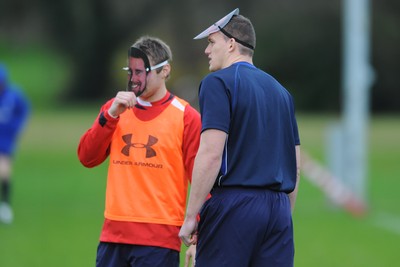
<point x="241" y="28"/>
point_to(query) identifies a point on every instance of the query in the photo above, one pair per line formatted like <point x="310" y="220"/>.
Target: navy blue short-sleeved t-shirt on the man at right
<point x="258" y="115"/>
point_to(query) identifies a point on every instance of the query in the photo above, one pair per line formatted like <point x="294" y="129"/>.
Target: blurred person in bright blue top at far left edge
<point x="14" y="111"/>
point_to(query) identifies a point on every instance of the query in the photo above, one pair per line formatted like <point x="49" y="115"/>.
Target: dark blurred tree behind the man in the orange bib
<point x="90" y="32"/>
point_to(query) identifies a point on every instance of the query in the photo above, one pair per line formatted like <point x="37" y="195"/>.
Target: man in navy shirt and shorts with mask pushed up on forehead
<point x="248" y="157"/>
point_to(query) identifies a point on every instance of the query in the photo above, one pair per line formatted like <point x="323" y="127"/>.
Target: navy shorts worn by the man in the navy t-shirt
<point x="245" y="228"/>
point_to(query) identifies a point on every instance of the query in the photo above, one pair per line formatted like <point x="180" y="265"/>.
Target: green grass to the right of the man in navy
<point x="327" y="236"/>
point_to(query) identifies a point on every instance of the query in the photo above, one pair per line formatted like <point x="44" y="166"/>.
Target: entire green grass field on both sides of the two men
<point x="59" y="204"/>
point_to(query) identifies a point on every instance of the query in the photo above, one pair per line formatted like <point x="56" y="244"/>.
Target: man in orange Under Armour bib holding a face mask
<point x="151" y="138"/>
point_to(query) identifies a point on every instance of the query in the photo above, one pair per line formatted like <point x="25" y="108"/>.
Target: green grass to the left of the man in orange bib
<point x="58" y="203"/>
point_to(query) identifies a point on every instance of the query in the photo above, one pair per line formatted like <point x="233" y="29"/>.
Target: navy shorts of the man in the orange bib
<point x="125" y="255"/>
